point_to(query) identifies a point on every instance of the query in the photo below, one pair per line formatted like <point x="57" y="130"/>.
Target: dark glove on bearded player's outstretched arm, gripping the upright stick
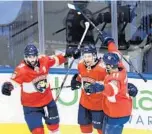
<point x="73" y="52"/>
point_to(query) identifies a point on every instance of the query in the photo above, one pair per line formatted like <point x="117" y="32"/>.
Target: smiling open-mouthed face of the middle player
<point x="88" y="59"/>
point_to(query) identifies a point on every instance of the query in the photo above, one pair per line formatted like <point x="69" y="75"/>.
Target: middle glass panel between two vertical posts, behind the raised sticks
<point x="64" y="27"/>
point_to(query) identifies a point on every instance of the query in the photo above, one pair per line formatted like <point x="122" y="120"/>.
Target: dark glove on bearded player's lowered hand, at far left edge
<point x="7" y="87"/>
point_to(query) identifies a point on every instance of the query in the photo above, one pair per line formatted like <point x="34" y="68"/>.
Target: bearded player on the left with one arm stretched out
<point x="36" y="96"/>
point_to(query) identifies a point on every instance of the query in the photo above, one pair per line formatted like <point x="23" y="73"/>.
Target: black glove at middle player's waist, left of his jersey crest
<point x="74" y="83"/>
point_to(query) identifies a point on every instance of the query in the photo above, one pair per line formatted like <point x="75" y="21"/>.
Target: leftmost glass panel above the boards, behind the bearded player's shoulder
<point x="18" y="29"/>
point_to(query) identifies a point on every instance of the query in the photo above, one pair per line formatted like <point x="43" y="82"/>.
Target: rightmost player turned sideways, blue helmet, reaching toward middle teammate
<point x="117" y="103"/>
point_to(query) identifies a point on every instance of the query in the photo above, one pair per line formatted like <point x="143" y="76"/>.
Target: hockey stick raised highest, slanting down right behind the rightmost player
<point x="71" y="6"/>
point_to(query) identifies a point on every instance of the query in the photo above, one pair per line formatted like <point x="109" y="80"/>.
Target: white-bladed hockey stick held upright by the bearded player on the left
<point x="87" y="24"/>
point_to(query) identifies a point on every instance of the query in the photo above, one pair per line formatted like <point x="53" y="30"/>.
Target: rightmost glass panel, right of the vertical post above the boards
<point x="134" y="26"/>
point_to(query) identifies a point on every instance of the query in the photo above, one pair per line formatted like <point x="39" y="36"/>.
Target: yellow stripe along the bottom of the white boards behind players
<point x="65" y="129"/>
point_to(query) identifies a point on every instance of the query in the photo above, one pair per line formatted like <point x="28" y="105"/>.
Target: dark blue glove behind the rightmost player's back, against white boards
<point x="132" y="90"/>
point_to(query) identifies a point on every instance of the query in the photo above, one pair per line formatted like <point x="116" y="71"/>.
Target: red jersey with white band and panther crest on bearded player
<point x="35" y="87"/>
